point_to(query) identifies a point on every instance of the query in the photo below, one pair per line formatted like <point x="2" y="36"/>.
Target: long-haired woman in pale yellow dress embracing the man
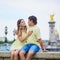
<point x="22" y="36"/>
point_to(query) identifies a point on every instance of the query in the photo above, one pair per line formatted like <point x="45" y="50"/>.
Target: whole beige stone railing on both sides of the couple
<point x="5" y="55"/>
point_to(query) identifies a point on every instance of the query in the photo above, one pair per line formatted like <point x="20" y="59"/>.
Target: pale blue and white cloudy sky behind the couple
<point x="12" y="10"/>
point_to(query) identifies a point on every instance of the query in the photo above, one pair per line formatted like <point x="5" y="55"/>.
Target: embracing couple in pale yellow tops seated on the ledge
<point x="28" y="39"/>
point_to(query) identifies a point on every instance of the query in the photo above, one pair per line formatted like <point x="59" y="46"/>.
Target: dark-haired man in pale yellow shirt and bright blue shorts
<point x="33" y="41"/>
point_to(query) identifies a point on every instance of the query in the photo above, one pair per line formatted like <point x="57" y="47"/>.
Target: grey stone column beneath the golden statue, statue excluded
<point x="52" y="40"/>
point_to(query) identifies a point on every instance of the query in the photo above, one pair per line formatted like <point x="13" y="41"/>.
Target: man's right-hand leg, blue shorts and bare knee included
<point x="34" y="49"/>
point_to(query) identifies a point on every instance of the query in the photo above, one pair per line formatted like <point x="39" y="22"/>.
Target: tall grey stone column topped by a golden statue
<point x="52" y="40"/>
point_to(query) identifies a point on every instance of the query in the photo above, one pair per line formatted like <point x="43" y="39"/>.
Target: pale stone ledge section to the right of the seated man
<point x="48" y="55"/>
